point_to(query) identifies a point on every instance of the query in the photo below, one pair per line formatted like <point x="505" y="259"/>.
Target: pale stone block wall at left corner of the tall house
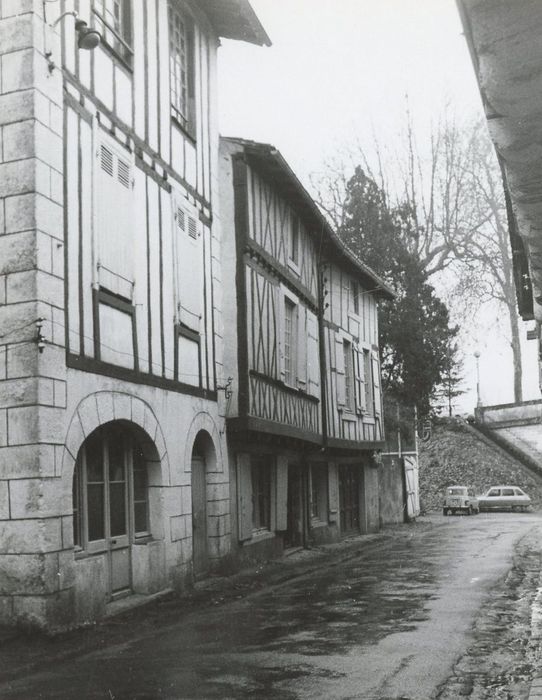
<point x="32" y="385"/>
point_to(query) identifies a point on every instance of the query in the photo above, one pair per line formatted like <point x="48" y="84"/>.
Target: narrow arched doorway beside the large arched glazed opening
<point x="203" y="456"/>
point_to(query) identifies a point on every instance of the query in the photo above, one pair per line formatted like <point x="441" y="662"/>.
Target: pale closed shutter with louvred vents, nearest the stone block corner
<point x="115" y="217"/>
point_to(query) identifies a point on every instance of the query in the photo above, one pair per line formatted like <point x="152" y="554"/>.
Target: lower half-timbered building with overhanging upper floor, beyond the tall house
<point x="304" y="399"/>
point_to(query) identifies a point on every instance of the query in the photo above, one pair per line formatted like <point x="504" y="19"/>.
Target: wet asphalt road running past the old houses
<point x="394" y="618"/>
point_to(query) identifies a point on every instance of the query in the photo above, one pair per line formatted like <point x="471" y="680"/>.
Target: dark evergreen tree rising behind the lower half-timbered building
<point x="415" y="331"/>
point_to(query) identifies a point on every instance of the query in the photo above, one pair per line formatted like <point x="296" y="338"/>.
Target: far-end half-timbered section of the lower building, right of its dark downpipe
<point x="354" y="427"/>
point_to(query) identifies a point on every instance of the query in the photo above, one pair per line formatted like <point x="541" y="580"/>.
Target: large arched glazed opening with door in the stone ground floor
<point x="111" y="502"/>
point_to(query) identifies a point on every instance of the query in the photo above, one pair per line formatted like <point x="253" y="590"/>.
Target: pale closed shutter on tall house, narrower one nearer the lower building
<point x="189" y="265"/>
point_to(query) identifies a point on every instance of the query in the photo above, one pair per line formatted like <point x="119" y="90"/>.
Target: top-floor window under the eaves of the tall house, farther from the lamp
<point x="181" y="68"/>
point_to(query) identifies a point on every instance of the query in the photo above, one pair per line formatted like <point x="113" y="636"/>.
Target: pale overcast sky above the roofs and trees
<point x="337" y="75"/>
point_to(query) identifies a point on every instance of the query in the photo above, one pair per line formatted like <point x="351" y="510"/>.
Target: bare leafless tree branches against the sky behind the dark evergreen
<point x="449" y="193"/>
